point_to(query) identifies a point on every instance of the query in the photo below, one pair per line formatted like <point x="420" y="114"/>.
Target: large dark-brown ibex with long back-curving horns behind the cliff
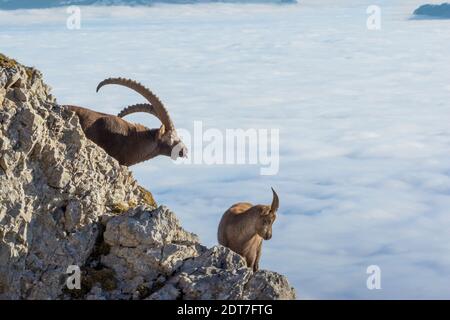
<point x="127" y="142"/>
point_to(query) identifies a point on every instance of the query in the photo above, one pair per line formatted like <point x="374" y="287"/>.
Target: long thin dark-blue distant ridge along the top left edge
<point x="37" y="4"/>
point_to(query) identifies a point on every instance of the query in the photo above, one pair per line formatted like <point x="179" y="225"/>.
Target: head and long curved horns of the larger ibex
<point x="169" y="143"/>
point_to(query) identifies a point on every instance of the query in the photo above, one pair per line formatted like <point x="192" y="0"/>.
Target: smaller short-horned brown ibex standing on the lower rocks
<point x="244" y="226"/>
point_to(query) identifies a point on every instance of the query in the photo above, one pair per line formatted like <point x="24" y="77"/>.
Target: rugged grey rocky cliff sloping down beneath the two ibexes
<point x="64" y="202"/>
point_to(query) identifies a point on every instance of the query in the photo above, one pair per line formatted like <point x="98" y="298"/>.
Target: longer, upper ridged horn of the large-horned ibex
<point x="161" y="111"/>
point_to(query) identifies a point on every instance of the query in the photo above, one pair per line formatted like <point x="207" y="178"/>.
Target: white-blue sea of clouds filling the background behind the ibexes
<point x="363" y="117"/>
